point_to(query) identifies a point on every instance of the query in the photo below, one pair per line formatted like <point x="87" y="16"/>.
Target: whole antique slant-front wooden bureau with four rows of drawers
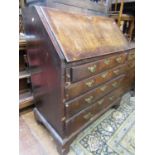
<point x="80" y="66"/>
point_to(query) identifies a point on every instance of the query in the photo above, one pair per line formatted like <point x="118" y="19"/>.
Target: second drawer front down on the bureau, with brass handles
<point x="81" y="87"/>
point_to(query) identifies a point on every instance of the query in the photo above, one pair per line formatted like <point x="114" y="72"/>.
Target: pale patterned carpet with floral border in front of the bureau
<point x="112" y="134"/>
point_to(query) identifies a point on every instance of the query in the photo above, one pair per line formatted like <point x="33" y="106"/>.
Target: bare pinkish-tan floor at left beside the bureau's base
<point x="34" y="139"/>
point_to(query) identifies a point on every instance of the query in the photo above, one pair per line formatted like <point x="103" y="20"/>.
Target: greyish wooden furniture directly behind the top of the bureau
<point x="76" y="6"/>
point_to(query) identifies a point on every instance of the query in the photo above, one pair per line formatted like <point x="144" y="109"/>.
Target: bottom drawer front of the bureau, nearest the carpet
<point x="88" y="115"/>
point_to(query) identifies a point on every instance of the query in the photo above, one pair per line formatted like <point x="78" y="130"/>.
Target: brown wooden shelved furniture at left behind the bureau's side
<point x="25" y="92"/>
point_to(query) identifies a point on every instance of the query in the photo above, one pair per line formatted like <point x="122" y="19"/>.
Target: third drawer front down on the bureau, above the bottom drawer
<point x="86" y="100"/>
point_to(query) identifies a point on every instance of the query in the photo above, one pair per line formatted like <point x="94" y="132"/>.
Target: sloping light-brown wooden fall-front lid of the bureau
<point x="83" y="36"/>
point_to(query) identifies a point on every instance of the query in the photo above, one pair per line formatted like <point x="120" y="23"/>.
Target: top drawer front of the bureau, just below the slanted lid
<point x="90" y="69"/>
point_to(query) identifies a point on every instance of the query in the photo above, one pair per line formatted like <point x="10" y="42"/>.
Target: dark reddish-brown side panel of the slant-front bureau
<point x="46" y="69"/>
